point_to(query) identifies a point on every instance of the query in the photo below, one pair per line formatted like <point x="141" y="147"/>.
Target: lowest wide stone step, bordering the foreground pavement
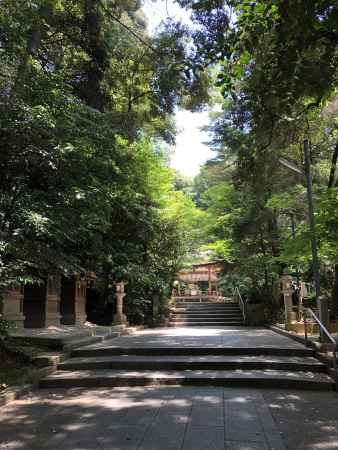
<point x="252" y="378"/>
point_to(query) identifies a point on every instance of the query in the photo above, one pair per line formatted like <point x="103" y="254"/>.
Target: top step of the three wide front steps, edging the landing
<point x="111" y="350"/>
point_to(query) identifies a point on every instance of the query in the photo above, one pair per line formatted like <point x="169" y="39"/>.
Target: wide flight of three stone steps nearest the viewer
<point x="130" y="363"/>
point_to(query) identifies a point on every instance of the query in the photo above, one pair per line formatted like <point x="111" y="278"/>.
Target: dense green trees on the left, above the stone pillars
<point x="86" y="98"/>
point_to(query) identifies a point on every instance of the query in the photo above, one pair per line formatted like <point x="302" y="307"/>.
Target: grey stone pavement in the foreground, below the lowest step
<point x="171" y="418"/>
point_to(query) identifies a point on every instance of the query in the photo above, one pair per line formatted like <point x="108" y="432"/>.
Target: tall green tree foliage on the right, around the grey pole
<point x="275" y="95"/>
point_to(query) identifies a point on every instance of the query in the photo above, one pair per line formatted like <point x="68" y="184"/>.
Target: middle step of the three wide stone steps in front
<point x="210" y="362"/>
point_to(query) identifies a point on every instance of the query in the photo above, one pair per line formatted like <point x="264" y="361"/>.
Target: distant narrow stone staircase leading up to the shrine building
<point x="206" y="314"/>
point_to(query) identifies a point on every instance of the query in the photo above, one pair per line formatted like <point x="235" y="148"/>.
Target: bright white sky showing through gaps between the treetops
<point x="190" y="152"/>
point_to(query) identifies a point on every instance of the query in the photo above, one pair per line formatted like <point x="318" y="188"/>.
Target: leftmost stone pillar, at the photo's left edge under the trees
<point x="12" y="306"/>
